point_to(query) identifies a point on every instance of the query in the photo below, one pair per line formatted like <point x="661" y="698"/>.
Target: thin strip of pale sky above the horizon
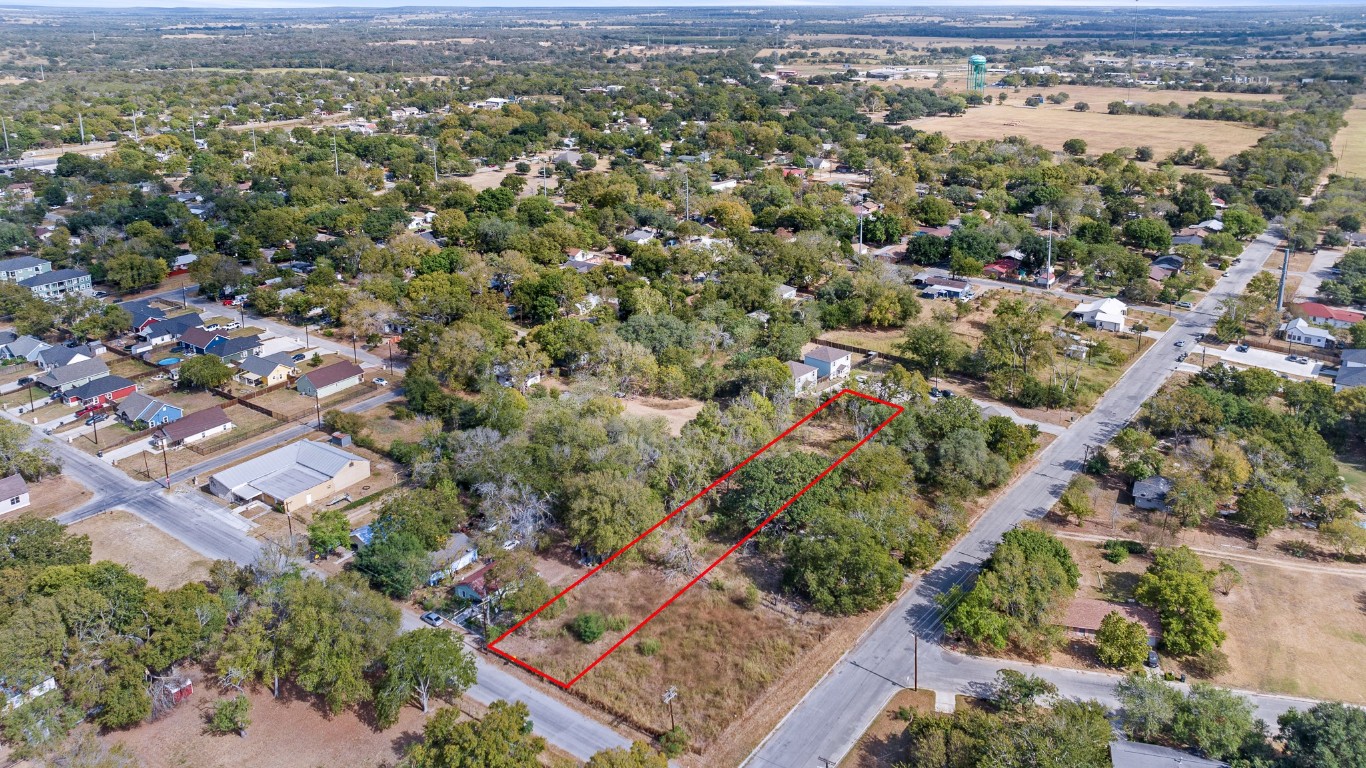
<point x="901" y="5"/>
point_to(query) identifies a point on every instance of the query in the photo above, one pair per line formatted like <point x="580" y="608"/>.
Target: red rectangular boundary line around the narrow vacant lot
<point x="718" y="562"/>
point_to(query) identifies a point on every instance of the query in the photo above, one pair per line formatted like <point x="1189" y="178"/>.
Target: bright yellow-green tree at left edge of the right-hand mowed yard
<point x="1178" y="588"/>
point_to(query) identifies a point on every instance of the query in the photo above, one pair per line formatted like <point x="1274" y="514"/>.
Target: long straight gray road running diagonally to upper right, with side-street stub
<point x="835" y="714"/>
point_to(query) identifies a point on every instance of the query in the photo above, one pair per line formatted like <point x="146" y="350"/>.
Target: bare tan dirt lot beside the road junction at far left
<point x="125" y="539"/>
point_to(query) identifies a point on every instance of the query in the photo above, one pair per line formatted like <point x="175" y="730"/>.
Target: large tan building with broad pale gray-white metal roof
<point x="293" y="476"/>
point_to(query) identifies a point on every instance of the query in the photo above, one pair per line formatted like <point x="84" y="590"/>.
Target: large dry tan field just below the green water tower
<point x="1103" y="133"/>
